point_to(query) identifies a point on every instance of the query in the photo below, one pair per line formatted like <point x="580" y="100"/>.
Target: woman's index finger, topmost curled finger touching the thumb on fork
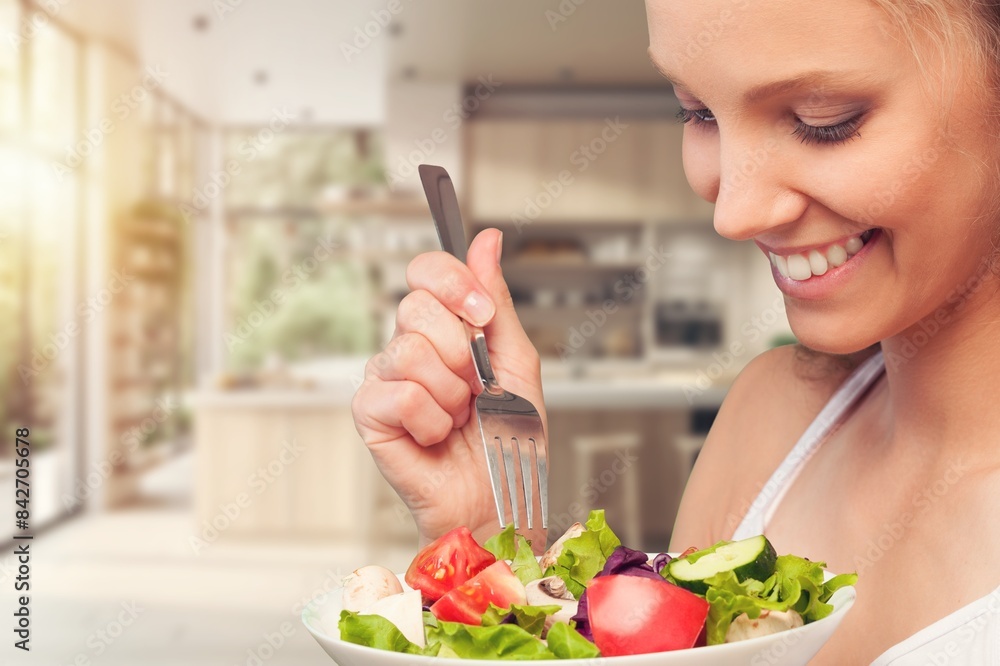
<point x="453" y="284"/>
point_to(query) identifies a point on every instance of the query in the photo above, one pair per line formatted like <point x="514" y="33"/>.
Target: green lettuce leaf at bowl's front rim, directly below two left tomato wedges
<point x="502" y="641"/>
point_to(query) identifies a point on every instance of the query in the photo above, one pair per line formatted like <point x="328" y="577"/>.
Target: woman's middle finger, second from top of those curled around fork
<point x="420" y="312"/>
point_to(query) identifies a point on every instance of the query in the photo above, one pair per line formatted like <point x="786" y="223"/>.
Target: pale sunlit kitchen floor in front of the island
<point x="127" y="589"/>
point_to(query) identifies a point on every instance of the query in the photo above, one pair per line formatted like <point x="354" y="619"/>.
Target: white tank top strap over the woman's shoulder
<point x="765" y="504"/>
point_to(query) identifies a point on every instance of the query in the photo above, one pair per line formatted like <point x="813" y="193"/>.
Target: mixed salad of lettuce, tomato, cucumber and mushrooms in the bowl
<point x="587" y="596"/>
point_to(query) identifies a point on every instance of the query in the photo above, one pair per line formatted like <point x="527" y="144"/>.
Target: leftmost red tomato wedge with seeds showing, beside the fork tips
<point x="446" y="563"/>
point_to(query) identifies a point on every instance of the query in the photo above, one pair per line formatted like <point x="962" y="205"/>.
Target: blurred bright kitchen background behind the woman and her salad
<point x="206" y="215"/>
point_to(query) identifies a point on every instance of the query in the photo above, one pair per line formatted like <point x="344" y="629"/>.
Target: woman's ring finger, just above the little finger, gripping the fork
<point x="412" y="357"/>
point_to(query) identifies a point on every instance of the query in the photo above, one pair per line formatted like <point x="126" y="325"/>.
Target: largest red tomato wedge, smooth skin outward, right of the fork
<point x="633" y="615"/>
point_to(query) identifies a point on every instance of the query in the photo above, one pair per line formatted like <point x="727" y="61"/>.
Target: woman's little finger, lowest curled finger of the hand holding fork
<point x="396" y="408"/>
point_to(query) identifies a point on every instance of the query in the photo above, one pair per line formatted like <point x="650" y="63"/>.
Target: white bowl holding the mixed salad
<point x="794" y="647"/>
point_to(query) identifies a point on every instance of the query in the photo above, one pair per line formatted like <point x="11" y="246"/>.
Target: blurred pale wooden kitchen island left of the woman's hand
<point x="272" y="464"/>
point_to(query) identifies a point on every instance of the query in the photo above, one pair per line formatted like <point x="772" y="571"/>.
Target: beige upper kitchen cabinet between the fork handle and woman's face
<point x="577" y="170"/>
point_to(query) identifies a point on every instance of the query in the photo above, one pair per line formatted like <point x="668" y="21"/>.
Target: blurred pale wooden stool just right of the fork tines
<point x="587" y="448"/>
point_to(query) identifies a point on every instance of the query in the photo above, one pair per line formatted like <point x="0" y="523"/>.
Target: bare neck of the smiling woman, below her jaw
<point x="942" y="373"/>
